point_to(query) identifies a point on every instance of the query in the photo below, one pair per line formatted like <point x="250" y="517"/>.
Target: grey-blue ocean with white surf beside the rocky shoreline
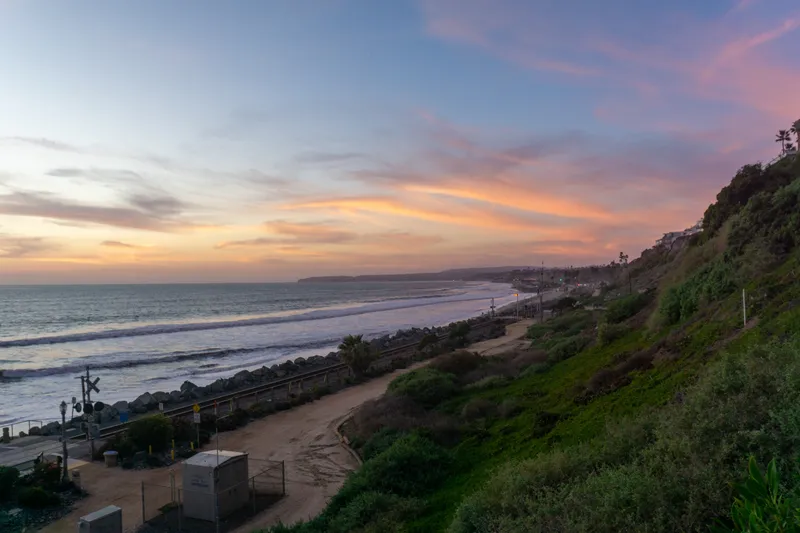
<point x="139" y="338"/>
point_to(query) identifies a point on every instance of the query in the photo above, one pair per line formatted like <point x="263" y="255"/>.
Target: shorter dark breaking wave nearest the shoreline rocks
<point x="174" y="357"/>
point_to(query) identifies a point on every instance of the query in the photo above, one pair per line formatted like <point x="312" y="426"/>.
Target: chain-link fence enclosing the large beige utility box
<point x="221" y="504"/>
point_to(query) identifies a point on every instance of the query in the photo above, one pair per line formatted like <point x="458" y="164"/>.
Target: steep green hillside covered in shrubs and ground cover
<point x="638" y="417"/>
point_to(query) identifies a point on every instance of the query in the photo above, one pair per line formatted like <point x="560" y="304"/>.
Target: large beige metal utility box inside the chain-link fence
<point x="215" y="482"/>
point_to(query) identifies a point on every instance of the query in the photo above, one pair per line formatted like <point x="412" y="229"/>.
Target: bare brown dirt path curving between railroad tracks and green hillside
<point x="316" y="463"/>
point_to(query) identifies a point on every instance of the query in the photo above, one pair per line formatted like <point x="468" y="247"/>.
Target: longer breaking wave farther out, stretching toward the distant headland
<point x="316" y="314"/>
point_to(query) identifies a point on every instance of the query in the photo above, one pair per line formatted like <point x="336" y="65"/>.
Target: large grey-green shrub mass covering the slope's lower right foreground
<point x="672" y="471"/>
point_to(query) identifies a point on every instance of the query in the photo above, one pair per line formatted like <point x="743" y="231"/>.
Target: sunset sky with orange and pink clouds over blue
<point x="210" y="141"/>
